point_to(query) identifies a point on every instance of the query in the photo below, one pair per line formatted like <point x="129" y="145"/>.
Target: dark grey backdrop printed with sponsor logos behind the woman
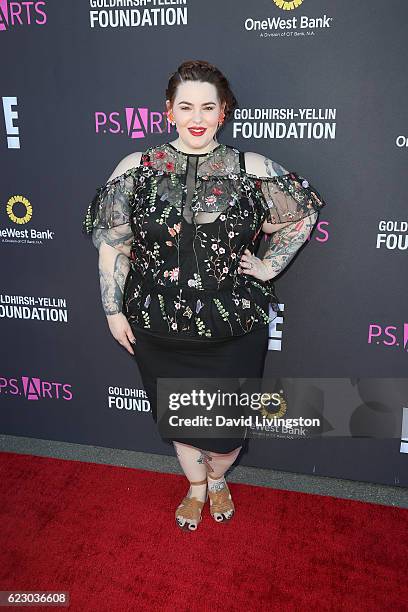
<point x="321" y="90"/>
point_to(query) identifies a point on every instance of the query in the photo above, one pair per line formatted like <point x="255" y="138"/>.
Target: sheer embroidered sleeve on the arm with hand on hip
<point x="288" y="197"/>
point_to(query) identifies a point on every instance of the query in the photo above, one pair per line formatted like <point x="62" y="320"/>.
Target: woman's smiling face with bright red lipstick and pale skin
<point x="196" y="105"/>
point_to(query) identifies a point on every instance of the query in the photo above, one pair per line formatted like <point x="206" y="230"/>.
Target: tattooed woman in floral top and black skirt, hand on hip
<point x="177" y="228"/>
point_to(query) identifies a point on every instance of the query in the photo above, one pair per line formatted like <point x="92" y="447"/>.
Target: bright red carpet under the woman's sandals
<point x="107" y="535"/>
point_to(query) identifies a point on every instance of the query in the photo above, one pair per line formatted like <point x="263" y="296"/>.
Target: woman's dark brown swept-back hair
<point x="200" y="70"/>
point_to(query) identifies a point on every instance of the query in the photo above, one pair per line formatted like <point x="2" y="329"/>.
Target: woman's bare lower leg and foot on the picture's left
<point x="192" y="464"/>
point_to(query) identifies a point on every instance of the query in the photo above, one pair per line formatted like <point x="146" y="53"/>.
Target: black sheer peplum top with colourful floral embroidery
<point x="192" y="216"/>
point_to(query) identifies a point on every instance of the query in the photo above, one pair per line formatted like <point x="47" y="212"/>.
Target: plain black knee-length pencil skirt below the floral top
<point x="231" y="359"/>
